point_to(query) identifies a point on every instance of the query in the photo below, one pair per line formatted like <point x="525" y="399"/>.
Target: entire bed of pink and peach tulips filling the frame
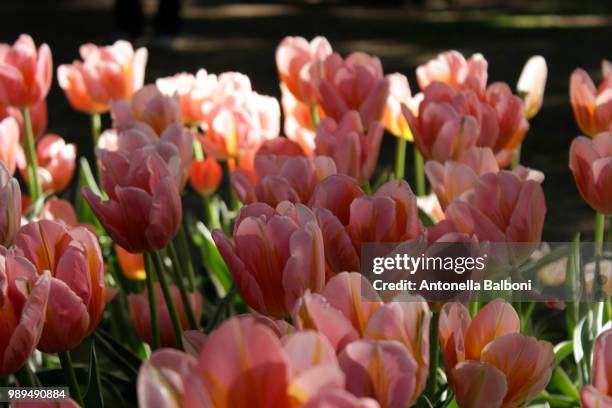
<point x="259" y="303"/>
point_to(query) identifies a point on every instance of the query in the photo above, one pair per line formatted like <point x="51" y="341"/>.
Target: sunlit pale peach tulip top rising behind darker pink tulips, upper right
<point x="452" y="68"/>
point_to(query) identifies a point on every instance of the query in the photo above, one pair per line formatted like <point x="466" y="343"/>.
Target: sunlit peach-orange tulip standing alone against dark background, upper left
<point x="106" y="73"/>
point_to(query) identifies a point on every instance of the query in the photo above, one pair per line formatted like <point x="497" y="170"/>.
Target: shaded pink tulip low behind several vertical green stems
<point x="139" y="310"/>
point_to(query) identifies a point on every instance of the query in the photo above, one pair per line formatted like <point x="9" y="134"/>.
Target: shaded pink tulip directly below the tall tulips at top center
<point x="353" y="146"/>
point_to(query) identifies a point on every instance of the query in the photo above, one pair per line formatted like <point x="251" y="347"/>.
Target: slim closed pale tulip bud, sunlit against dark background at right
<point x="531" y="85"/>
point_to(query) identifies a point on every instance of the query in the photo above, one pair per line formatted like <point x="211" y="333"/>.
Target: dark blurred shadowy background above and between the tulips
<point x="242" y="36"/>
